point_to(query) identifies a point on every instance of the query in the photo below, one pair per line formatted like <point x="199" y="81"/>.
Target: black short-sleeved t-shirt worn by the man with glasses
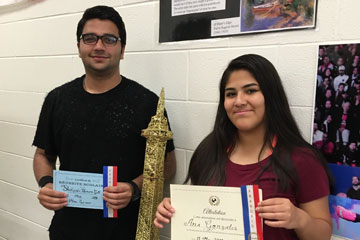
<point x="88" y="131"/>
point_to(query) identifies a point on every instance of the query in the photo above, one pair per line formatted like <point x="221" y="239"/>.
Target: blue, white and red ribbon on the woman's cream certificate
<point x="252" y="221"/>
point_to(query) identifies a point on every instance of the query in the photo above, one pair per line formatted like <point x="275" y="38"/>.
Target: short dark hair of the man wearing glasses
<point x="102" y="13"/>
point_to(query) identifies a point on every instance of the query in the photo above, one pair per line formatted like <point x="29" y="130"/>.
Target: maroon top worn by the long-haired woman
<point x="313" y="184"/>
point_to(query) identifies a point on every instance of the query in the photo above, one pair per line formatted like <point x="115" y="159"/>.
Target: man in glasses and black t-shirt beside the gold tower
<point x="95" y="121"/>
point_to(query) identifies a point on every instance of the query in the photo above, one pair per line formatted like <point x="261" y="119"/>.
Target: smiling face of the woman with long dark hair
<point x="244" y="102"/>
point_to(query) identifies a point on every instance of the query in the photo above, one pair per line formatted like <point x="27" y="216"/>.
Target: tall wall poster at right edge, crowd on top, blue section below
<point x="336" y="131"/>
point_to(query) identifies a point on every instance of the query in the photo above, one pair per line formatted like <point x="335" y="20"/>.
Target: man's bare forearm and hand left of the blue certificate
<point x="43" y="166"/>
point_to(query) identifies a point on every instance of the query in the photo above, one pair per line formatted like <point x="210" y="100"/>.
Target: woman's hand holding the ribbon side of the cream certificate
<point x="280" y="212"/>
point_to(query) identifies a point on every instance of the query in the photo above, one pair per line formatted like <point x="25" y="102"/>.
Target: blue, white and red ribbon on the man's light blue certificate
<point x="109" y="180"/>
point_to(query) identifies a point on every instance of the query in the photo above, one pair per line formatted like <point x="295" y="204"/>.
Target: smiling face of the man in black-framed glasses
<point x="98" y="58"/>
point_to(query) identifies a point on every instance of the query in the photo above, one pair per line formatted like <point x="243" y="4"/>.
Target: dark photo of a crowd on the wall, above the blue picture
<point x="336" y="128"/>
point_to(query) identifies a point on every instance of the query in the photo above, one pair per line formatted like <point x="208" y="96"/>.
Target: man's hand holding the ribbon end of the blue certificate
<point x="119" y="196"/>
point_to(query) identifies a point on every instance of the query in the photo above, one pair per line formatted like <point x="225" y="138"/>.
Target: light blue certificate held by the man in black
<point x="84" y="190"/>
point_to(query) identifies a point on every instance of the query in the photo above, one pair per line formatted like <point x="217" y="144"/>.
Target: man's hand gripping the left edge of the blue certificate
<point x="51" y="199"/>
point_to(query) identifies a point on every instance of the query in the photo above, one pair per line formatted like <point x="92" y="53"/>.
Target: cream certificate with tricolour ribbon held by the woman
<point x="215" y="213"/>
